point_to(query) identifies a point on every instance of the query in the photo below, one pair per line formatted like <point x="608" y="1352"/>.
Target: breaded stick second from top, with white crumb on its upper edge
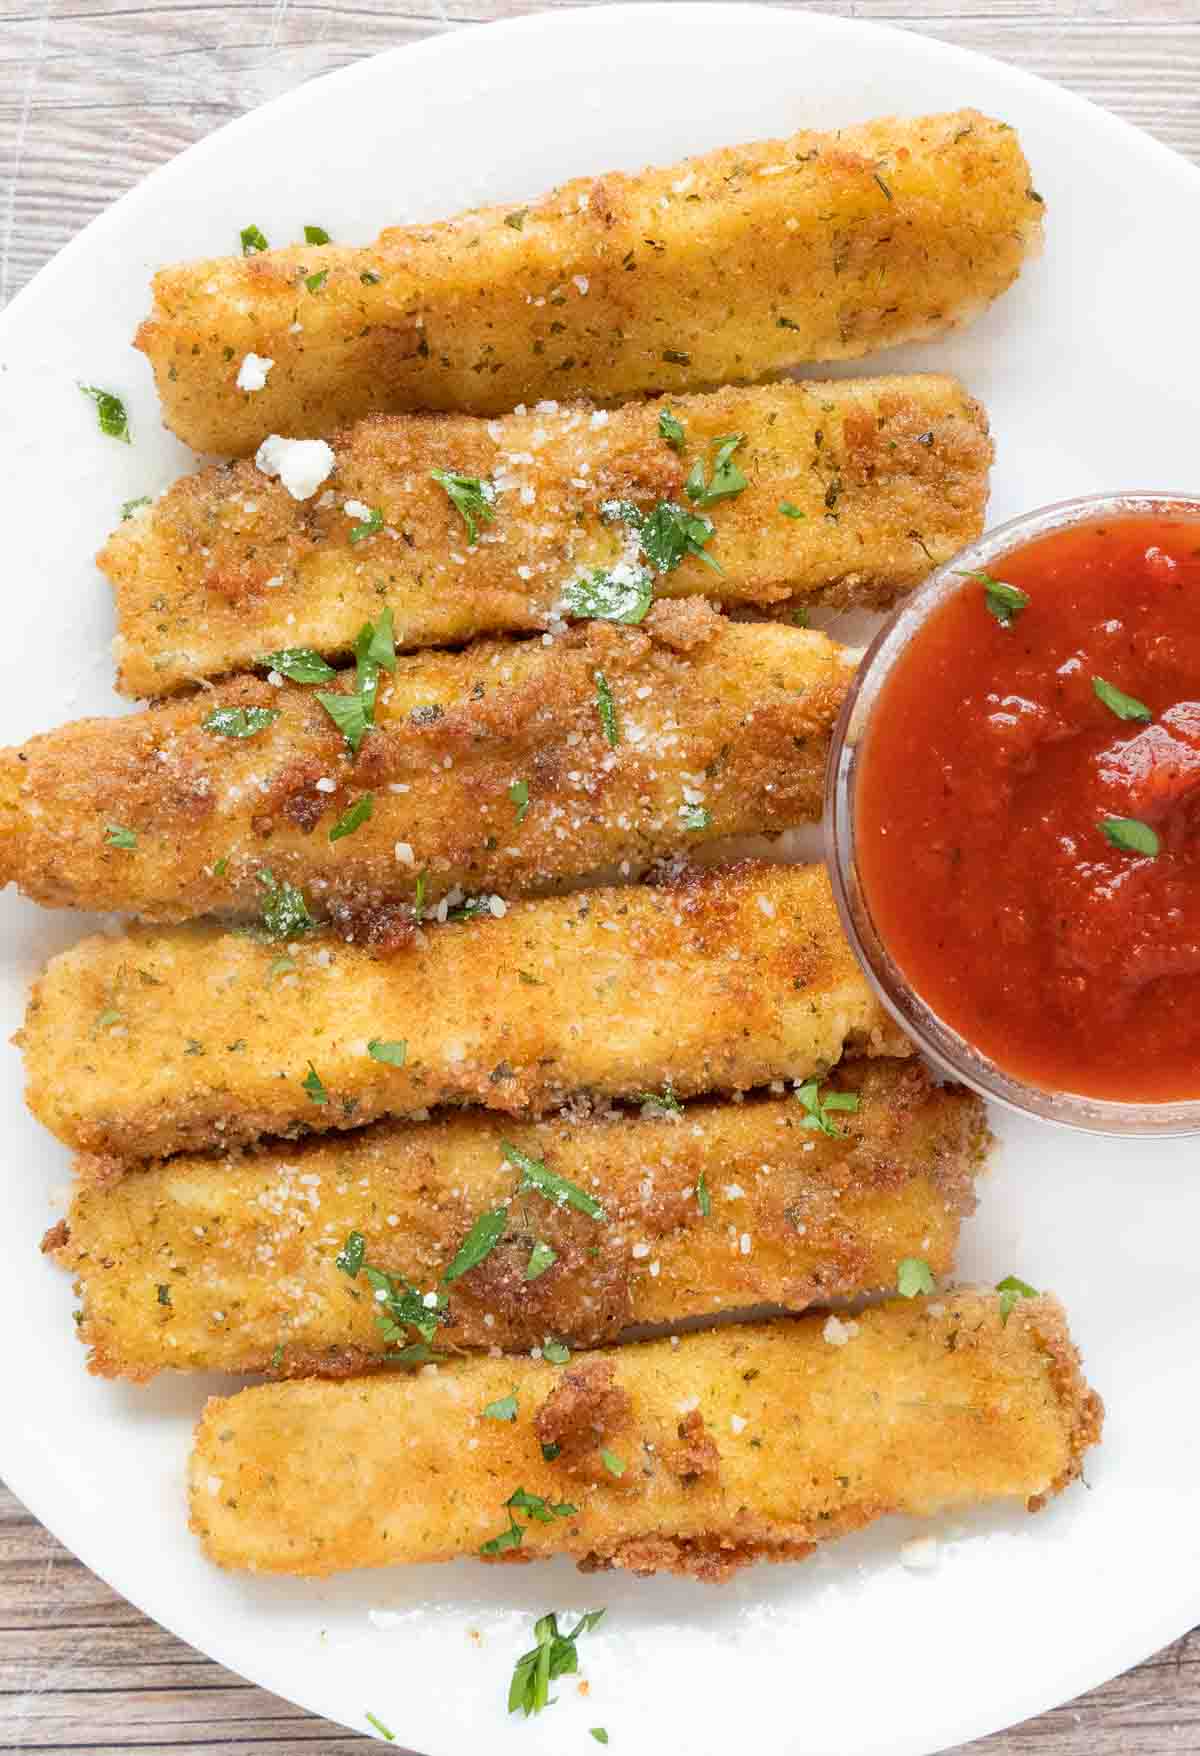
<point x="885" y="479"/>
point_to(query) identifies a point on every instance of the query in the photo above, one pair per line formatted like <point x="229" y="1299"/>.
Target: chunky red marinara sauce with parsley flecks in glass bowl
<point x="1029" y="812"/>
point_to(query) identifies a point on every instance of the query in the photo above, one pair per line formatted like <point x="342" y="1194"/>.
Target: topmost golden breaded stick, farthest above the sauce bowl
<point x="730" y="266"/>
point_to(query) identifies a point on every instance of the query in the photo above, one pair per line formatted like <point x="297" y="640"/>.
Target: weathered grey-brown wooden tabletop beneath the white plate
<point x="94" y="96"/>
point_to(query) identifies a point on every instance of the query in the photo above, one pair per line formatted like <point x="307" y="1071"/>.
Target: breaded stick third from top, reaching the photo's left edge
<point x="491" y="768"/>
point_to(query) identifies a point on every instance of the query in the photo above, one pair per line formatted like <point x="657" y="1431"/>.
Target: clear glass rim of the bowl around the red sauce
<point x="930" y="1033"/>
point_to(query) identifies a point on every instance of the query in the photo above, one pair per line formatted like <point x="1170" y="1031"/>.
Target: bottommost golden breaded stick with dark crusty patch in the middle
<point x="923" y="1407"/>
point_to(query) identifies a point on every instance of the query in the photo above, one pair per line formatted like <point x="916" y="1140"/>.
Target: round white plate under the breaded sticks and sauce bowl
<point x="1090" y="375"/>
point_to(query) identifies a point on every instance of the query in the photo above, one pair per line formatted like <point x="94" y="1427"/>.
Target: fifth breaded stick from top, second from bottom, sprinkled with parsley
<point x="228" y="1263"/>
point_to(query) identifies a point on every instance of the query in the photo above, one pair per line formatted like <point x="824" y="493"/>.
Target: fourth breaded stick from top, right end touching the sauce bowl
<point x="189" y="1037"/>
